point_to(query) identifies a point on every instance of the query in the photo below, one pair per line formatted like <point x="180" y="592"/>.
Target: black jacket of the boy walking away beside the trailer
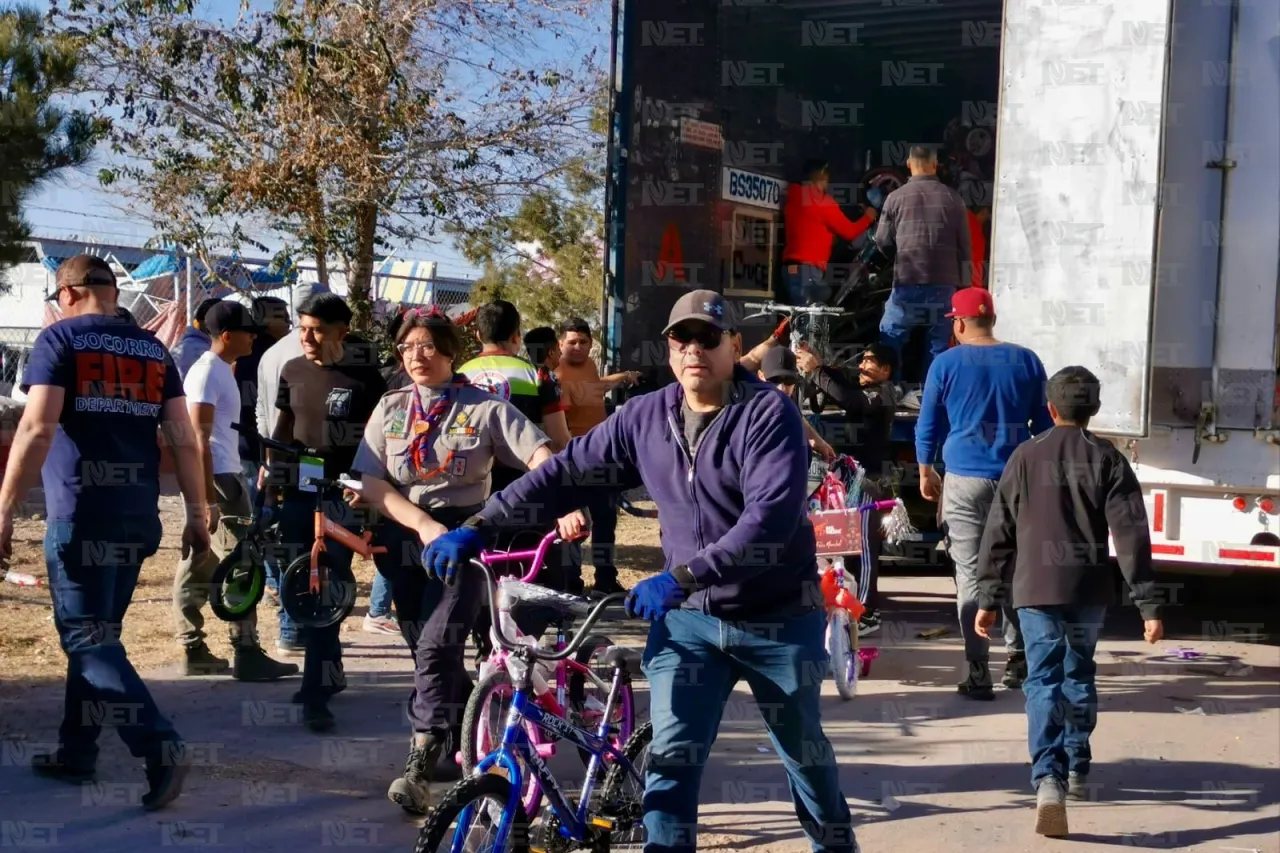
<point x="1046" y="535"/>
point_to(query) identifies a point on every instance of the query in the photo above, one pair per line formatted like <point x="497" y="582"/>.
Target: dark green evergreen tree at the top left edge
<point x="38" y="136"/>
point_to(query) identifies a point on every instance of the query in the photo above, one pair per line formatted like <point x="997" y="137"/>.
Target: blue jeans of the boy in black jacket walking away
<point x="1062" y="695"/>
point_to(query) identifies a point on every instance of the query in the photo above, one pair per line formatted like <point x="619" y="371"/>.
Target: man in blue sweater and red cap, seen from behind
<point x="982" y="400"/>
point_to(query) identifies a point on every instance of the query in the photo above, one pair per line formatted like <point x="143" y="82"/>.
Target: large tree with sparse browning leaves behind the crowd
<point x="350" y="126"/>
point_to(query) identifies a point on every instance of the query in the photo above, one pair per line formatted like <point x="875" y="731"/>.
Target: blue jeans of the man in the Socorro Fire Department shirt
<point x="93" y="572"/>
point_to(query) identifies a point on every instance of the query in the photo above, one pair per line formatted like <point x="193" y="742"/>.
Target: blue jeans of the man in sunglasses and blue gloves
<point x="693" y="662"/>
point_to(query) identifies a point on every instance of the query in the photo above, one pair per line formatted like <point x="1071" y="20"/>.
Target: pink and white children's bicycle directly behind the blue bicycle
<point x="577" y="690"/>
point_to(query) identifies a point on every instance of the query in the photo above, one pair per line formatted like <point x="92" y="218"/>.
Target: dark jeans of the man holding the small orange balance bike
<point x="322" y="664"/>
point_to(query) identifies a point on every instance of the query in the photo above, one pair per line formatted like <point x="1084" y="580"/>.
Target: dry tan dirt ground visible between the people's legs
<point x="29" y="645"/>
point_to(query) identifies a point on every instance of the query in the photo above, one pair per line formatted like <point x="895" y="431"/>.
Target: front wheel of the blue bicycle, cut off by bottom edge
<point x="473" y="813"/>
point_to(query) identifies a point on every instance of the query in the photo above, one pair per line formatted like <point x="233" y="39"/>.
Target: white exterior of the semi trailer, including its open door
<point x="1137" y="234"/>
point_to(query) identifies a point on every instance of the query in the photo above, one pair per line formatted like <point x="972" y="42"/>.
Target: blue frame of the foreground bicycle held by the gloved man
<point x="518" y="747"/>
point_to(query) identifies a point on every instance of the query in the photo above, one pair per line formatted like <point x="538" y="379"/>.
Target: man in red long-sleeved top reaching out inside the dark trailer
<point x="811" y="220"/>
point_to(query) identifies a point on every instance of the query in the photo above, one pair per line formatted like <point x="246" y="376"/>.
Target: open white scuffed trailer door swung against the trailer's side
<point x="1076" y="216"/>
